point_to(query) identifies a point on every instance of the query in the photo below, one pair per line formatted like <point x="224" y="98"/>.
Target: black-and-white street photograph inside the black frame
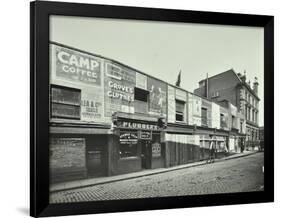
<point x="146" y="109"/>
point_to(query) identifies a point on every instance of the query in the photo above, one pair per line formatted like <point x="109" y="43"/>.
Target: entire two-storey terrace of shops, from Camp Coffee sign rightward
<point x="108" y="119"/>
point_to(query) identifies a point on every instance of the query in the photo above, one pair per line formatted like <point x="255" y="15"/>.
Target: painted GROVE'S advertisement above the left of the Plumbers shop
<point x="119" y="83"/>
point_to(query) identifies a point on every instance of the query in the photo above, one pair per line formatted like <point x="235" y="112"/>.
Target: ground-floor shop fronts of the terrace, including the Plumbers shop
<point x="79" y="152"/>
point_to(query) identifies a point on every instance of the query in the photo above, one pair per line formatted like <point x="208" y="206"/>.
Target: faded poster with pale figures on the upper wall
<point x="157" y="96"/>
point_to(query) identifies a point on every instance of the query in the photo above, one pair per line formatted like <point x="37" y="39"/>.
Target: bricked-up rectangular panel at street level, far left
<point x="67" y="153"/>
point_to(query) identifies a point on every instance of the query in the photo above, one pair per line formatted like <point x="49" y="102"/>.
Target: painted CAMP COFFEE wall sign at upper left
<point x="76" y="66"/>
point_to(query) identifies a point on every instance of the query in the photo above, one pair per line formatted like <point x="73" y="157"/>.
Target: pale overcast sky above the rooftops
<point x="162" y="49"/>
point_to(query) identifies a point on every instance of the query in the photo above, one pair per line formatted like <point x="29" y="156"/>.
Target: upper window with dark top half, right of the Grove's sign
<point x="140" y="101"/>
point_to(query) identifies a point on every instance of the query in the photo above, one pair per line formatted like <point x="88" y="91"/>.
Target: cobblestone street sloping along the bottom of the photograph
<point x="235" y="175"/>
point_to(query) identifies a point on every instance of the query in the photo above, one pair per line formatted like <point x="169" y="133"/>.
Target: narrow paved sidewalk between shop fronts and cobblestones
<point x="102" y="180"/>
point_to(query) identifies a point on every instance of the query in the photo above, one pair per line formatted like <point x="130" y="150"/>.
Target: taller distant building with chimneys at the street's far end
<point x="232" y="87"/>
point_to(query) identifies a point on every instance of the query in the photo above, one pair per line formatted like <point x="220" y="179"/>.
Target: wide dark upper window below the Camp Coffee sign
<point x="65" y="102"/>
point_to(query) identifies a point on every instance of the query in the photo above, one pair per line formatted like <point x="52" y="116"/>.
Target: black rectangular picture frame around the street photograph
<point x="39" y="107"/>
